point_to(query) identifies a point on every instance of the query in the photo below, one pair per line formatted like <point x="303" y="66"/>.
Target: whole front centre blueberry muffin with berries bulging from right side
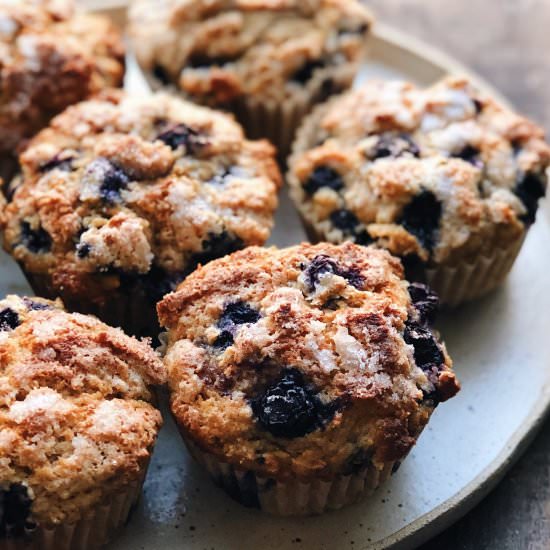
<point x="302" y="377"/>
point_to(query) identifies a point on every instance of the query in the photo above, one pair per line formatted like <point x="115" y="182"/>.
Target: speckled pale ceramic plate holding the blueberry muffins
<point x="501" y="350"/>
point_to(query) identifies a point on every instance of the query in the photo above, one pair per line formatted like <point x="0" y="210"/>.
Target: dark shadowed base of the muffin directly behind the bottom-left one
<point x="135" y="314"/>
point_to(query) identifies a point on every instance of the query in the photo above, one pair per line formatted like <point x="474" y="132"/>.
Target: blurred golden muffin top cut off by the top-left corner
<point x="51" y="57"/>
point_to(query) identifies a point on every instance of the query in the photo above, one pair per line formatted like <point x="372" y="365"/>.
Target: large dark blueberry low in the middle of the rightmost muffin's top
<point x="422" y="217"/>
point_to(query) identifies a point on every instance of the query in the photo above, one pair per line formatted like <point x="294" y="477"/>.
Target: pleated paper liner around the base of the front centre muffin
<point x="292" y="497"/>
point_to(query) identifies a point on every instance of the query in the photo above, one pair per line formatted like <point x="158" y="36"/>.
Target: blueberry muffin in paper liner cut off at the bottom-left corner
<point x="76" y="425"/>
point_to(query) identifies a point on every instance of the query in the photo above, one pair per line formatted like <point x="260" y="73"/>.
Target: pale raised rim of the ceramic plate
<point x="451" y="510"/>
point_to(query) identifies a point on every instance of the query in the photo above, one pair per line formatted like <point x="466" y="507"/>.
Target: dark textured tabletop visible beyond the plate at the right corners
<point x="508" y="42"/>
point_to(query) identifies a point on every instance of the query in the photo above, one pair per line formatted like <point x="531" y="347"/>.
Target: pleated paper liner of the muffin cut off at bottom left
<point x="88" y="533"/>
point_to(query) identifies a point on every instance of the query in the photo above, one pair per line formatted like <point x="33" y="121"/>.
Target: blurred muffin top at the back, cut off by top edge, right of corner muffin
<point x="220" y="50"/>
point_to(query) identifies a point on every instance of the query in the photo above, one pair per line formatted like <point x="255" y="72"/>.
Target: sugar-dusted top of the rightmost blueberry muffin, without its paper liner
<point x="441" y="174"/>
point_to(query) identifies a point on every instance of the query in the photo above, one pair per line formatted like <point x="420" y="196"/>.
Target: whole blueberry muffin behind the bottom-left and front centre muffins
<point x="121" y="197"/>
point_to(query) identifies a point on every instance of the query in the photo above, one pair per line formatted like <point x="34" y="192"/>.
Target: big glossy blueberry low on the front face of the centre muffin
<point x="290" y="408"/>
